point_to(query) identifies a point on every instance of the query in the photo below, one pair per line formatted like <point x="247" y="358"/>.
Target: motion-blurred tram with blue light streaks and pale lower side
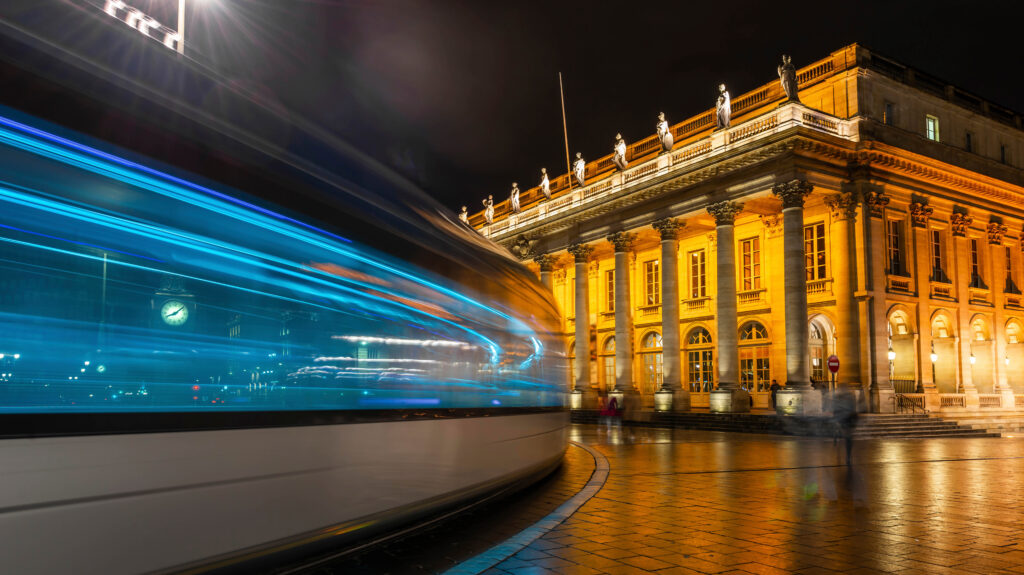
<point x="227" y="335"/>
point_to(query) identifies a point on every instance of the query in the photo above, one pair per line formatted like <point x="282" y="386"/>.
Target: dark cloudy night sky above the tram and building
<point x="463" y="97"/>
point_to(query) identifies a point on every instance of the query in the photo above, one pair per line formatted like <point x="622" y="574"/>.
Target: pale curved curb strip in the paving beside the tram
<point x="518" y="543"/>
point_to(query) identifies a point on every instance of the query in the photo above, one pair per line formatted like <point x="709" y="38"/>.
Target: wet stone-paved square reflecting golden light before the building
<point x="688" y="502"/>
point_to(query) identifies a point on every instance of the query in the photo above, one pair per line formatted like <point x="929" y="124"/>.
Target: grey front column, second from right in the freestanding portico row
<point x="730" y="397"/>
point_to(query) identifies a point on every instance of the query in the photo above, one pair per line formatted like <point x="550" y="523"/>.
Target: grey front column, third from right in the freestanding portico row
<point x="672" y="396"/>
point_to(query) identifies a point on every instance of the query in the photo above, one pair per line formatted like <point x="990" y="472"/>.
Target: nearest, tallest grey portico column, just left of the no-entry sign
<point x="798" y="395"/>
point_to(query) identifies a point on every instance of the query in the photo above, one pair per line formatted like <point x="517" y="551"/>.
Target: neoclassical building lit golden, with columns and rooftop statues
<point x="877" y="215"/>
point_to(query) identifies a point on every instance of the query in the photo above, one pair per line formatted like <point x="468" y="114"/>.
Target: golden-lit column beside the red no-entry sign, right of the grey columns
<point x="844" y="211"/>
